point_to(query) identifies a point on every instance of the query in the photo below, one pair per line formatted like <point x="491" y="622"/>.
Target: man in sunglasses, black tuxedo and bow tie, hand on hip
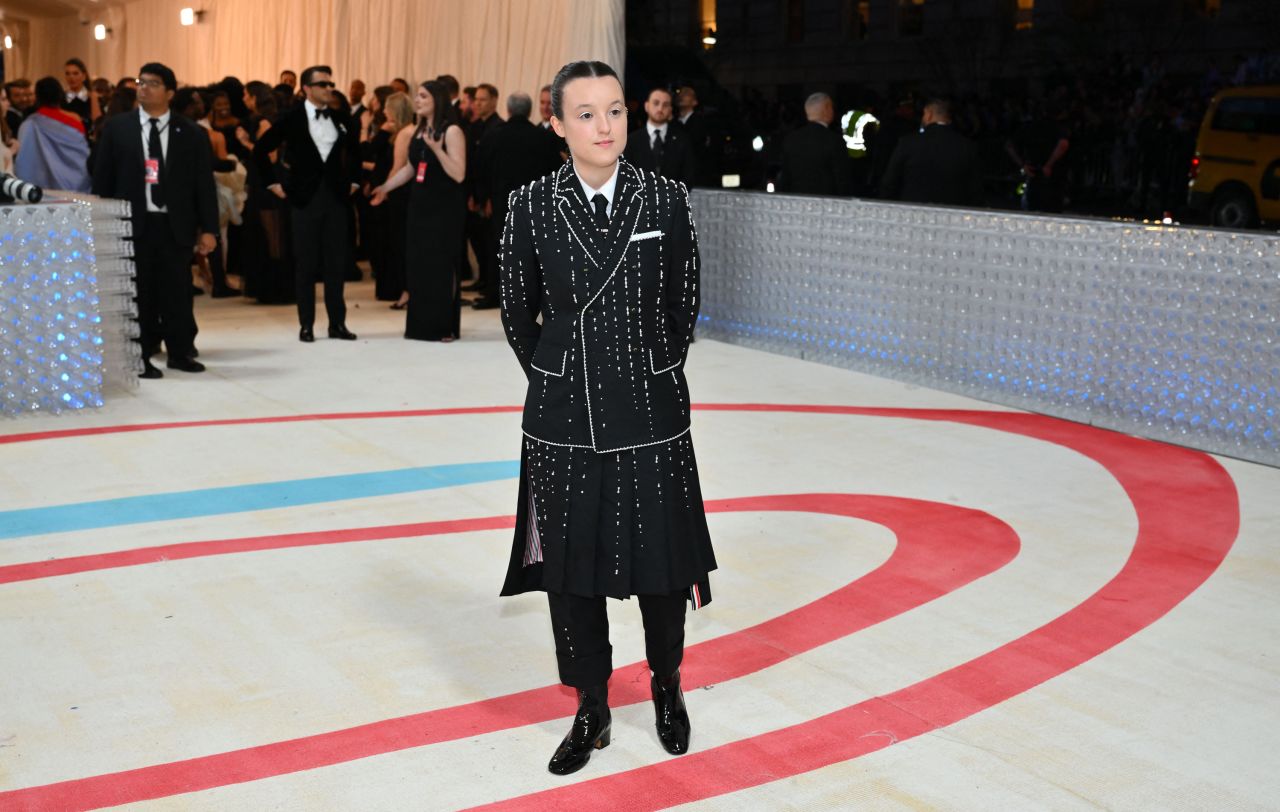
<point x="321" y="150"/>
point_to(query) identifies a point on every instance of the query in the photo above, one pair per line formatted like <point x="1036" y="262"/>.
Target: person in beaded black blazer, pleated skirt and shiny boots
<point x="600" y="299"/>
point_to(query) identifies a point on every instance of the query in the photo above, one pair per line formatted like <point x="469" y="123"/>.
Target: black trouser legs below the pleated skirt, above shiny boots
<point x="582" y="629"/>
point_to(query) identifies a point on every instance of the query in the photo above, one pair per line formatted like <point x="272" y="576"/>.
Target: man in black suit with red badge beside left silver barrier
<point x="162" y="163"/>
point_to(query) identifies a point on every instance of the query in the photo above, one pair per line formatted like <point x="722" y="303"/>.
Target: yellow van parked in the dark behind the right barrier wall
<point x="1236" y="172"/>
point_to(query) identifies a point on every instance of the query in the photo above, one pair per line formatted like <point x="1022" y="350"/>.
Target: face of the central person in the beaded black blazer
<point x="596" y="121"/>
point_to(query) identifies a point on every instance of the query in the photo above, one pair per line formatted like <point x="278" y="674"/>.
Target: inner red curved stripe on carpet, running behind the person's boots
<point x="925" y="565"/>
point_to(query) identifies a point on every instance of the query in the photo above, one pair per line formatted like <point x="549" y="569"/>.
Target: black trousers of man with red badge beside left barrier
<point x="164" y="290"/>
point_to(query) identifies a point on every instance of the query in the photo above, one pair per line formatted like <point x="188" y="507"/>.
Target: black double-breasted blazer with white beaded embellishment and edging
<point x="601" y="322"/>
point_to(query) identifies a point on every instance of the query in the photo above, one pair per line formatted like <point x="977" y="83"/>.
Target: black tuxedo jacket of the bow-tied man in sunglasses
<point x="303" y="171"/>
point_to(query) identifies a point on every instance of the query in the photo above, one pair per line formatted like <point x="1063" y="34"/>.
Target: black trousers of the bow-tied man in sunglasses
<point x="322" y="248"/>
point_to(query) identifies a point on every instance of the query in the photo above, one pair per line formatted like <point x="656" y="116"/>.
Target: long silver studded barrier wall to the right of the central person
<point x="1162" y="332"/>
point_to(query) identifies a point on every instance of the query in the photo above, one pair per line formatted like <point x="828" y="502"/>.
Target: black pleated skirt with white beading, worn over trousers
<point x="612" y="524"/>
